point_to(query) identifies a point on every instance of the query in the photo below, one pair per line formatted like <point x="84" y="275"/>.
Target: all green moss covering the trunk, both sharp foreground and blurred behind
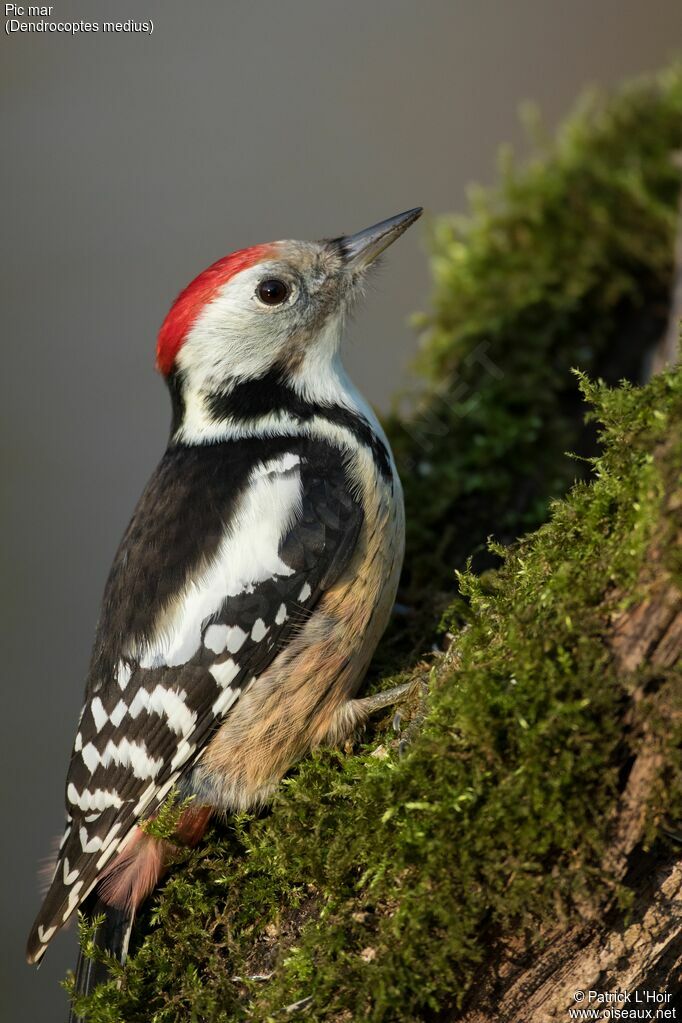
<point x="380" y="879"/>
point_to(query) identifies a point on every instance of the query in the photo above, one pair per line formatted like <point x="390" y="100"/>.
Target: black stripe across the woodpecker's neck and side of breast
<point x="270" y="393"/>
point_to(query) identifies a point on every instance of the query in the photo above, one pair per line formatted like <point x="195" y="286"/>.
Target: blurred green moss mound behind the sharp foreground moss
<point x="566" y="263"/>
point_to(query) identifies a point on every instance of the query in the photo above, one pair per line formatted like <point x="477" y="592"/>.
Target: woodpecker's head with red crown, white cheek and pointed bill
<point x="276" y="308"/>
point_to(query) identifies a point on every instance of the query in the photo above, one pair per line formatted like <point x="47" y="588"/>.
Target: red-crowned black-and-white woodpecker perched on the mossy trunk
<point x="252" y="586"/>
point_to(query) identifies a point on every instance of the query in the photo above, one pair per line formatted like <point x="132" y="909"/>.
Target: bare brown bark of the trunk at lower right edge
<point x="641" y="947"/>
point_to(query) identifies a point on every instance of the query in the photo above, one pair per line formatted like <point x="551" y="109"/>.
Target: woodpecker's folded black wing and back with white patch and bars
<point x="226" y="553"/>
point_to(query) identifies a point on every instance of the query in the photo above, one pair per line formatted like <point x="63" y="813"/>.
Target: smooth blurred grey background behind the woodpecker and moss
<point x="128" y="165"/>
